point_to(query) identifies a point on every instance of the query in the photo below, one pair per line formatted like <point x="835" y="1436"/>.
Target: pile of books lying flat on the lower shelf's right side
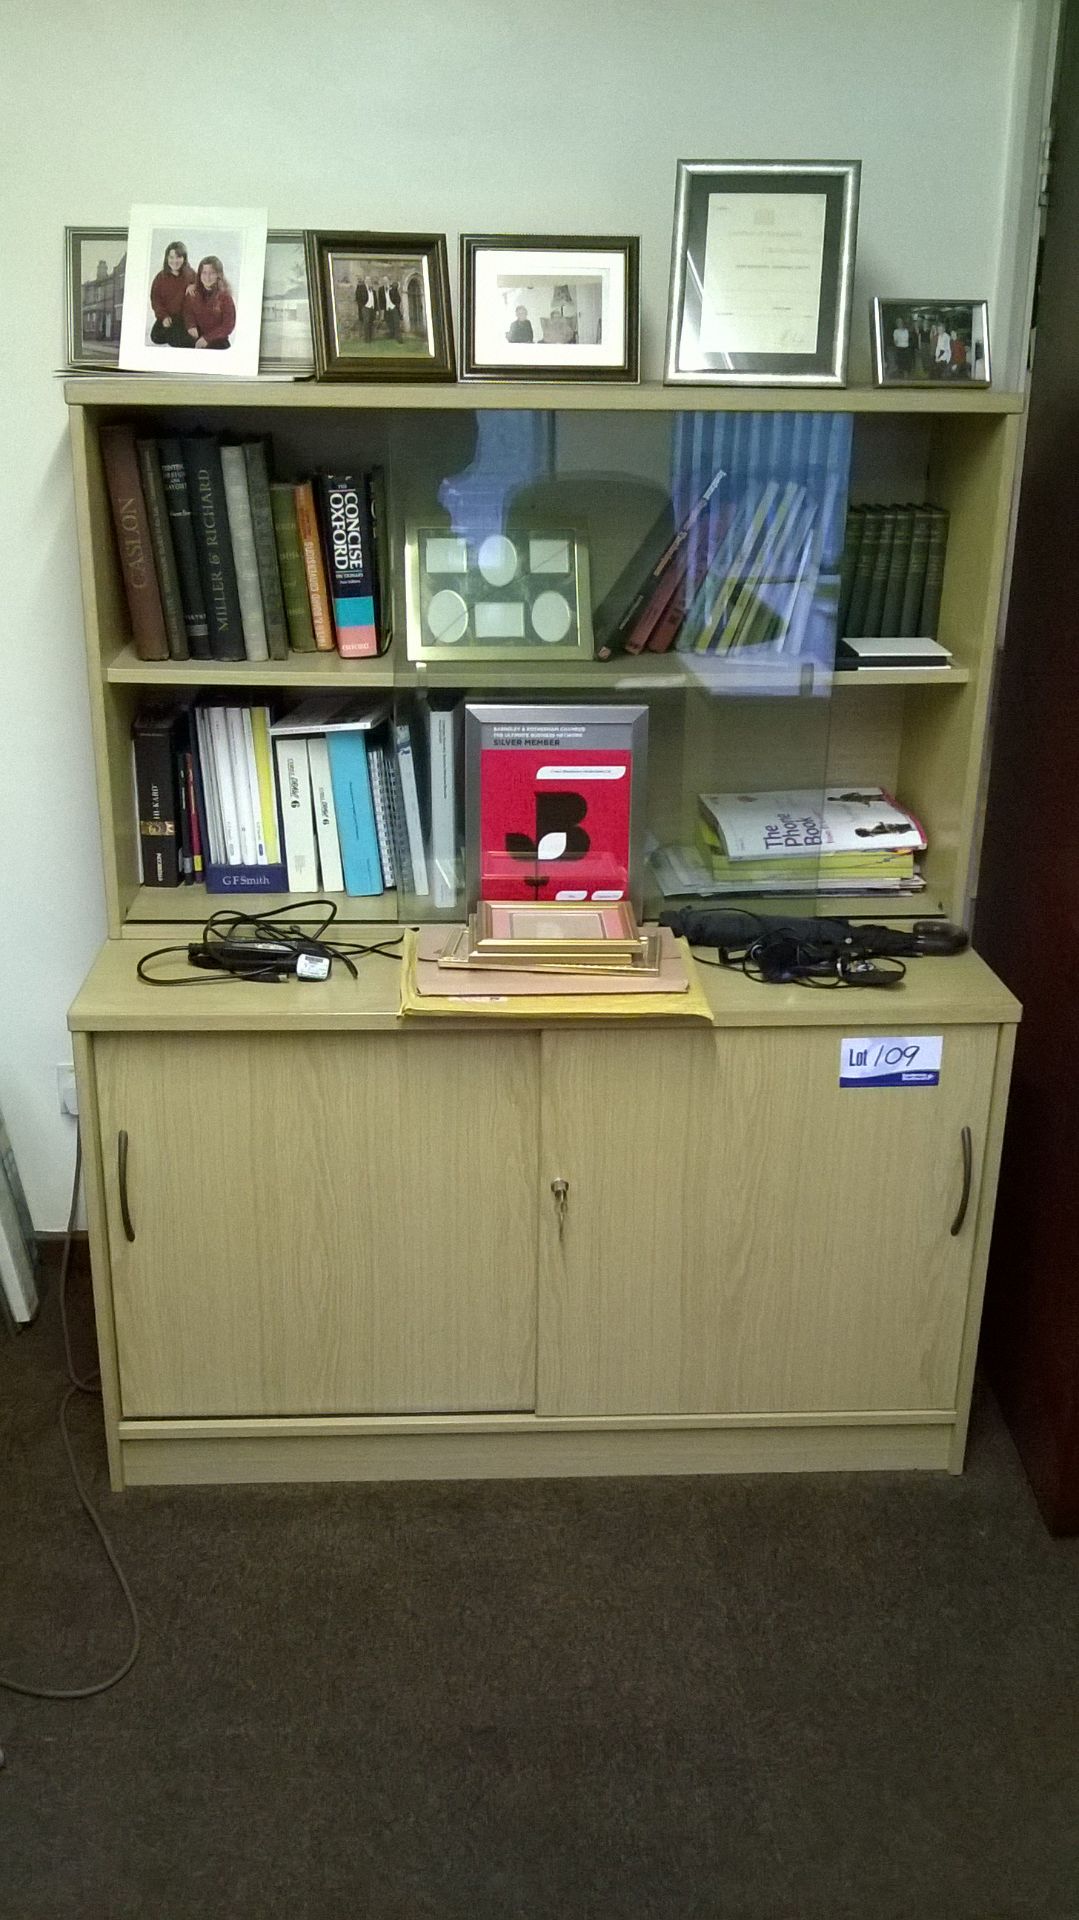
<point x="840" y="842"/>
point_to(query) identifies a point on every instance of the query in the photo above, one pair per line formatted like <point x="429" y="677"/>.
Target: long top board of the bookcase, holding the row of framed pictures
<point x="149" y="391"/>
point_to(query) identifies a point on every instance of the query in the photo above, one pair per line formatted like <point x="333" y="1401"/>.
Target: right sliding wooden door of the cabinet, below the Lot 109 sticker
<point x="742" y="1236"/>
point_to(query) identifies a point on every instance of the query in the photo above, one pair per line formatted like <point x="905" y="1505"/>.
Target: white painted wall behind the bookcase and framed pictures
<point x="560" y="118"/>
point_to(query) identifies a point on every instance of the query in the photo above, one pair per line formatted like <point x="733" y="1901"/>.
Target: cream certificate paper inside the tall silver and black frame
<point x="763" y="270"/>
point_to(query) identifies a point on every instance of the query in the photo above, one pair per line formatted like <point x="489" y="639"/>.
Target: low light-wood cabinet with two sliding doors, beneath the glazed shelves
<point x="341" y="1245"/>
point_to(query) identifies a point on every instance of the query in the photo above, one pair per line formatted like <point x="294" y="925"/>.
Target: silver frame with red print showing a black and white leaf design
<point x="556" y="802"/>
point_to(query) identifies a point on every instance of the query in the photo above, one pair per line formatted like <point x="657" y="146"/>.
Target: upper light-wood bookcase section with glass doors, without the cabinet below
<point x="596" y="462"/>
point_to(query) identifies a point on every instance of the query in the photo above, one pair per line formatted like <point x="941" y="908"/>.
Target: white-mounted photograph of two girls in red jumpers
<point x="193" y="295"/>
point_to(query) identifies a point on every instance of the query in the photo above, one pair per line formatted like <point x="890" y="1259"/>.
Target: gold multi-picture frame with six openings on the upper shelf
<point x="498" y="594"/>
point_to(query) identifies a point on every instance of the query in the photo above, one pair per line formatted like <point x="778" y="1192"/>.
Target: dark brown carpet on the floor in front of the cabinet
<point x="625" y="1700"/>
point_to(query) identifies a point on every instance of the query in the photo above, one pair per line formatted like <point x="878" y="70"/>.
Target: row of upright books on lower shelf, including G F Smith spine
<point x="333" y="796"/>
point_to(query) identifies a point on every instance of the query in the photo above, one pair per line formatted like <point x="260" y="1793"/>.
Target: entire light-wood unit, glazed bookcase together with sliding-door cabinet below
<point x="579" y="1291"/>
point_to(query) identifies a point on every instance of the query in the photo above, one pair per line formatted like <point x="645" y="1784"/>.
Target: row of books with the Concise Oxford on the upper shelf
<point x="224" y="564"/>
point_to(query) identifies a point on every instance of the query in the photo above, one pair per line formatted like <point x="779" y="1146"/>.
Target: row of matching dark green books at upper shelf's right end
<point x="894" y="571"/>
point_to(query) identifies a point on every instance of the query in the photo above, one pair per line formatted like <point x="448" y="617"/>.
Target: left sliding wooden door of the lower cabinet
<point x="306" y="1222"/>
